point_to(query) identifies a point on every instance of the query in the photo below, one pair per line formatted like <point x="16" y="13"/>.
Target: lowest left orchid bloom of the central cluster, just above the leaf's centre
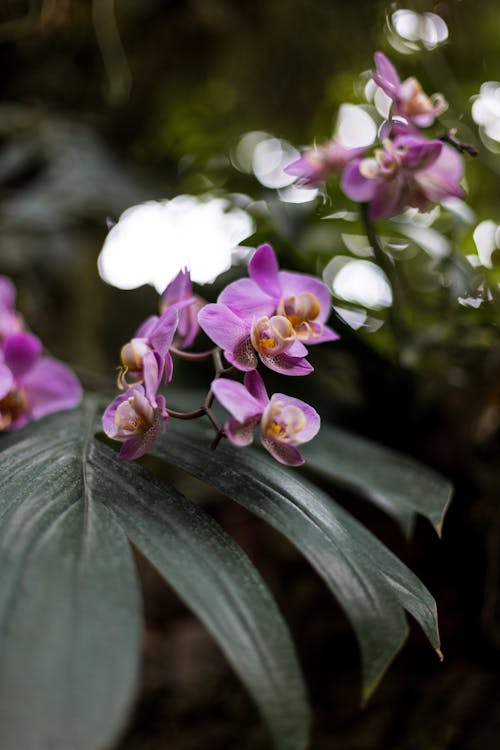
<point x="134" y="420"/>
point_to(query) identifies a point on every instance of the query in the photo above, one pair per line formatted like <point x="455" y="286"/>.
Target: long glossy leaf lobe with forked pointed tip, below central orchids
<point x="371" y="584"/>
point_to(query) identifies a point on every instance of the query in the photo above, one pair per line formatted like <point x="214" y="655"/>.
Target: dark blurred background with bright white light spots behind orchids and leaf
<point x="108" y="104"/>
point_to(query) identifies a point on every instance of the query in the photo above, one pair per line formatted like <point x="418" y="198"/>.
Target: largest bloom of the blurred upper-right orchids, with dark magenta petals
<point x="408" y="171"/>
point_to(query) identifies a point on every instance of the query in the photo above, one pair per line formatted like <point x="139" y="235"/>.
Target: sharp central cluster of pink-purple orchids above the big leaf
<point x="270" y="317"/>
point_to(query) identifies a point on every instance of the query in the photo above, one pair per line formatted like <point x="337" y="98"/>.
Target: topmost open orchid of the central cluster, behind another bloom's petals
<point x="303" y="300"/>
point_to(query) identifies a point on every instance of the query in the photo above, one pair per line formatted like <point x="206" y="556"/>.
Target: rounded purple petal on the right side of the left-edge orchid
<point x="50" y="386"/>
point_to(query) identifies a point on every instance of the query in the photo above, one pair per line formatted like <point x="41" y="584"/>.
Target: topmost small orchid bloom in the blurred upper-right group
<point x="409" y="100"/>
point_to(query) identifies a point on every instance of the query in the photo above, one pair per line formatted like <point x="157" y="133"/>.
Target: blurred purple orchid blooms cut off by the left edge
<point x="31" y="384"/>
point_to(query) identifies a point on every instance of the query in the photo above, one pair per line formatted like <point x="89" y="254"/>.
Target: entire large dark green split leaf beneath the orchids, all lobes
<point x="69" y="604"/>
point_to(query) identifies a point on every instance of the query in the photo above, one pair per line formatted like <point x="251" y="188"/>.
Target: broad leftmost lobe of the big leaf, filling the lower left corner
<point x="69" y="604"/>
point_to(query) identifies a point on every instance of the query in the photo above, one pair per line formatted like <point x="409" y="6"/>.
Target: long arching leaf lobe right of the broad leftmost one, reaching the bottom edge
<point x="218" y="582"/>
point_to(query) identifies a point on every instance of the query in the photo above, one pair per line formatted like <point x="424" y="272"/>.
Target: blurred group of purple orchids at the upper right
<point x="405" y="168"/>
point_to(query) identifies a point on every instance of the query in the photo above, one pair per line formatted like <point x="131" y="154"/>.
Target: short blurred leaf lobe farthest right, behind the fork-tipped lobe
<point x="396" y="483"/>
